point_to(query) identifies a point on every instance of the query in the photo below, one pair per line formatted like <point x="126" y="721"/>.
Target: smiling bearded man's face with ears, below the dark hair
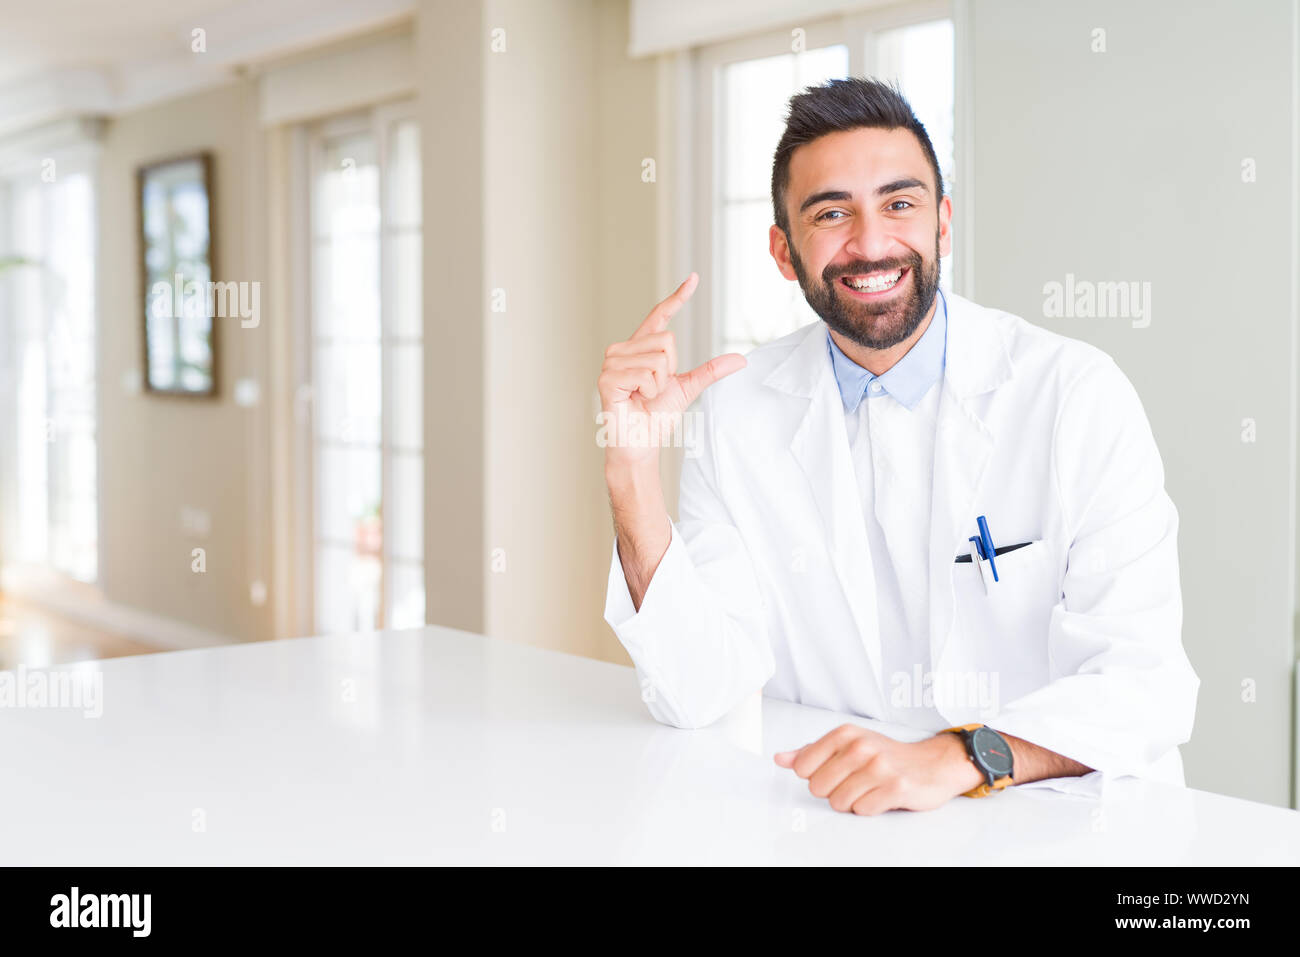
<point x="866" y="233"/>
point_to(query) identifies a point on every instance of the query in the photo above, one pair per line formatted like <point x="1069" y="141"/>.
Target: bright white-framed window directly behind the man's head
<point x="744" y="93"/>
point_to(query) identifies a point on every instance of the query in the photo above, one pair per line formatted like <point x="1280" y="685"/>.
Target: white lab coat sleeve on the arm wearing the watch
<point x="1123" y="692"/>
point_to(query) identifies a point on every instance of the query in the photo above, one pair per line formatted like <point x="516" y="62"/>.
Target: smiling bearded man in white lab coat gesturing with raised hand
<point x="918" y="510"/>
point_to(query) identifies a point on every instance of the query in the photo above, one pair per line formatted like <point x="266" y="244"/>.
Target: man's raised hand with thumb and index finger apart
<point x="642" y="392"/>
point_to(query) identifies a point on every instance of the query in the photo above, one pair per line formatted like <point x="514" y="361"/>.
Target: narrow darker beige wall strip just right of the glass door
<point x="450" y="76"/>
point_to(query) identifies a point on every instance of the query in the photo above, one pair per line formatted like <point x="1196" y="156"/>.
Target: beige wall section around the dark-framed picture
<point x="163" y="454"/>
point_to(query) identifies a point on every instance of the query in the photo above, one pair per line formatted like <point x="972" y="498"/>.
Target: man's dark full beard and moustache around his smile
<point x="868" y="324"/>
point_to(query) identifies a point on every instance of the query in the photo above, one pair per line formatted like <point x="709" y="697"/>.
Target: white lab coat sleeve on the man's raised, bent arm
<point x="699" y="642"/>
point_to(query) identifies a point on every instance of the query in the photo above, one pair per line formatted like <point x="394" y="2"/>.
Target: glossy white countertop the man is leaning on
<point x="441" y="747"/>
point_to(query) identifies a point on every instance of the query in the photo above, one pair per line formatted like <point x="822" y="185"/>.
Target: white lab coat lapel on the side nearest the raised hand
<point x="821" y="447"/>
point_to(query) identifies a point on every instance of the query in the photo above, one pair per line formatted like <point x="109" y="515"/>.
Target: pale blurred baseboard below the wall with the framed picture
<point x="88" y="605"/>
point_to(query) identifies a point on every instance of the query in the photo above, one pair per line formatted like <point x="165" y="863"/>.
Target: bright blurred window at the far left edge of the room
<point x="49" y="374"/>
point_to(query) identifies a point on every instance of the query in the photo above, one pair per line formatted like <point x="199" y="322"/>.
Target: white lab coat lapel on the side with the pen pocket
<point x="977" y="363"/>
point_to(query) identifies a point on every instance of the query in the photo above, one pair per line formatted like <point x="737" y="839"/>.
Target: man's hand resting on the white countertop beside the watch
<point x="869" y="773"/>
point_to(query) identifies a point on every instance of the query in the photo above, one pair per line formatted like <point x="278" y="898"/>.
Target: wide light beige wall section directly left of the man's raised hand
<point x="570" y="240"/>
